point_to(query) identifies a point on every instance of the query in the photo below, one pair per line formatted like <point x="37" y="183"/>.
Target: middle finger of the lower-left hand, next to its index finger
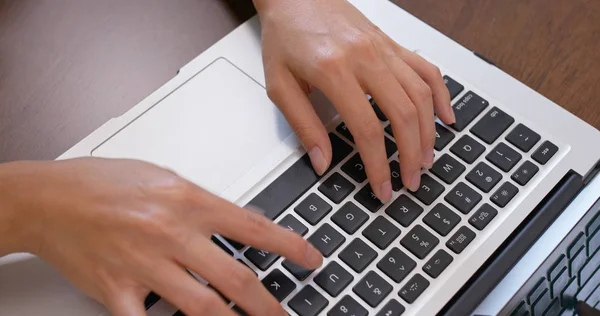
<point x="231" y="278"/>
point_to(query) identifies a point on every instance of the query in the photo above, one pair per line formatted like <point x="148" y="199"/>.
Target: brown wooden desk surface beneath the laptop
<point x="67" y="66"/>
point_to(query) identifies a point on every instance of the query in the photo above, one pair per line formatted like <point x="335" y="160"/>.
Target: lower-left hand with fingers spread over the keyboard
<point x="119" y="229"/>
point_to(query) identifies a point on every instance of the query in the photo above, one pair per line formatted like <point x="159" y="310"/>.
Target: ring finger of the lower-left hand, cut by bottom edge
<point x="181" y="289"/>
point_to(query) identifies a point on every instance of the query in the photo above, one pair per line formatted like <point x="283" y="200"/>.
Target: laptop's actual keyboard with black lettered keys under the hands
<point x="380" y="258"/>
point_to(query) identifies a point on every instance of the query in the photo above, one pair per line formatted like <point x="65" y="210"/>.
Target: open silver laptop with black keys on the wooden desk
<point x="501" y="177"/>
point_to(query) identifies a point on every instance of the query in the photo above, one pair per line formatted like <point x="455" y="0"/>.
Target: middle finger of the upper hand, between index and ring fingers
<point x="403" y="116"/>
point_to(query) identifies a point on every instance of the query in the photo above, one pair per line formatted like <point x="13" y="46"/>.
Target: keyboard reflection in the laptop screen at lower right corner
<point x="571" y="273"/>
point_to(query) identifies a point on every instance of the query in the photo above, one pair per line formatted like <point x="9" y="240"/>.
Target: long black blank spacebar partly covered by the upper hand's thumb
<point x="295" y="181"/>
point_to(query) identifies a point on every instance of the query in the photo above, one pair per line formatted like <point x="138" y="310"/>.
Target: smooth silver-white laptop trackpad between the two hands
<point x="210" y="130"/>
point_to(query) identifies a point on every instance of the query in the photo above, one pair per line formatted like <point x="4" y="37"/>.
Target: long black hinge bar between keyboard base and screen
<point x="514" y="247"/>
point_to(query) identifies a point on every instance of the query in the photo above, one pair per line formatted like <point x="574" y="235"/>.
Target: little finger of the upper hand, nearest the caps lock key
<point x="433" y="77"/>
